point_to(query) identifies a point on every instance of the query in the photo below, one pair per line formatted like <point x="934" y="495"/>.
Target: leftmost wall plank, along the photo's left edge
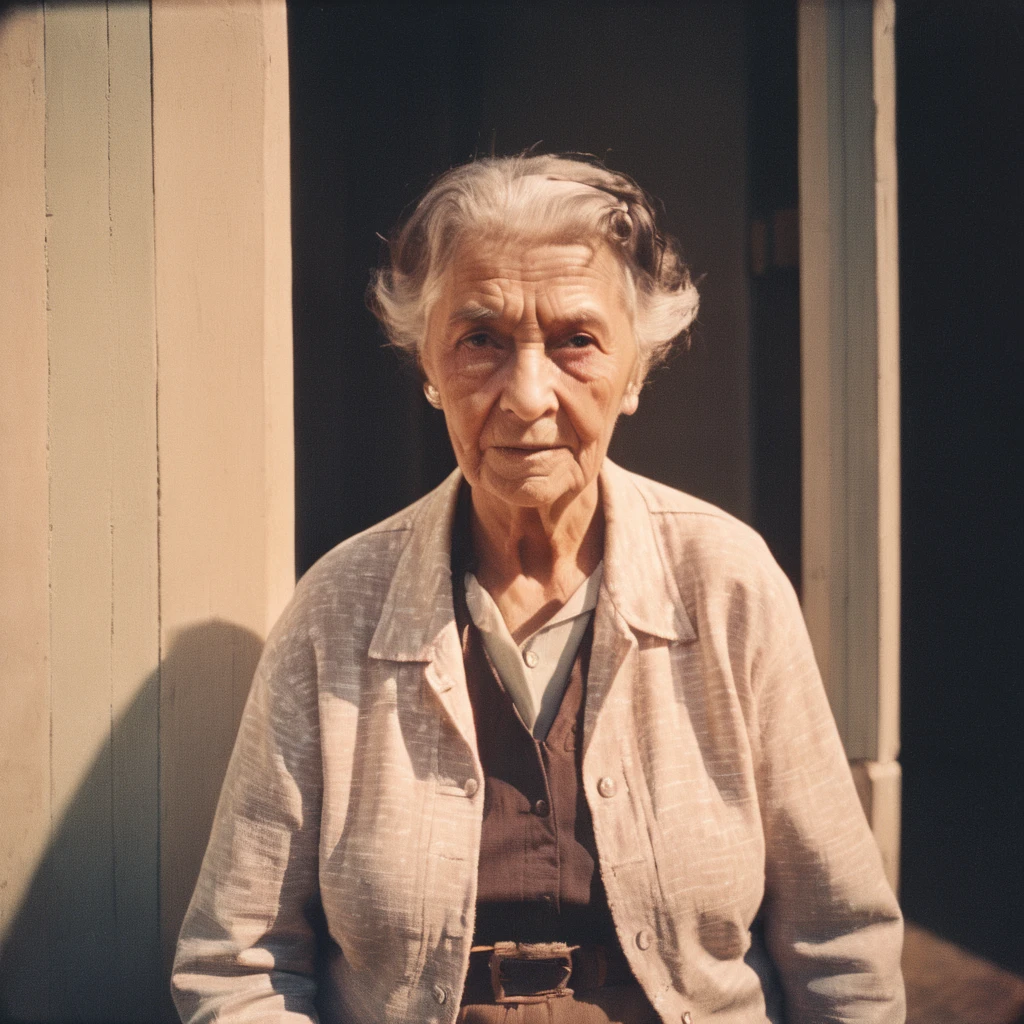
<point x="25" y="746"/>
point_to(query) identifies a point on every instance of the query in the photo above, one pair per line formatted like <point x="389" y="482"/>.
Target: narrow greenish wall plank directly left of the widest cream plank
<point x="135" y="626"/>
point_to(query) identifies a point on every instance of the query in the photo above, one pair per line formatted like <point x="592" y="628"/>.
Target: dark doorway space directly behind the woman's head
<point x="385" y="98"/>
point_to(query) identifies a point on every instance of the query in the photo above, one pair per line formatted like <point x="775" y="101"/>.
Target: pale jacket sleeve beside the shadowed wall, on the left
<point x="247" y="948"/>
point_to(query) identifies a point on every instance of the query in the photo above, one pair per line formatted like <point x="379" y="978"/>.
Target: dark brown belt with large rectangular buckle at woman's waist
<point x="535" y="972"/>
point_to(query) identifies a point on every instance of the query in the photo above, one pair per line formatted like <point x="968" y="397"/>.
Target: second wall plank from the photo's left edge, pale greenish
<point x="81" y="916"/>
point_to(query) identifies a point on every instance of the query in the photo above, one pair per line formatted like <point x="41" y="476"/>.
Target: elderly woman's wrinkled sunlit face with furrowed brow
<point x="532" y="350"/>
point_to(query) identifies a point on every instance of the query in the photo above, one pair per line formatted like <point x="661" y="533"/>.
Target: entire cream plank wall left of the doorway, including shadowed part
<point x="146" y="470"/>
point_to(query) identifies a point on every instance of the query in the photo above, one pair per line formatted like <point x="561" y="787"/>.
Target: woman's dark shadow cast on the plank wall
<point x="86" y="945"/>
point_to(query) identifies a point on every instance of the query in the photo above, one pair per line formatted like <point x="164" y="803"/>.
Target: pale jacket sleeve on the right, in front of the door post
<point x="832" y="923"/>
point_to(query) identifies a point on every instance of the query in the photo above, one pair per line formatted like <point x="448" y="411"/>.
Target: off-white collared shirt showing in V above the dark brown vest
<point x="536" y="672"/>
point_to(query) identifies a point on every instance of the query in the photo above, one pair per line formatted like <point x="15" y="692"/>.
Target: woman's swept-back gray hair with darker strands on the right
<point x="559" y="199"/>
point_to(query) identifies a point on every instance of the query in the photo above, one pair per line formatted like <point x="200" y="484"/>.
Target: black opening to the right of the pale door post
<point x="959" y="113"/>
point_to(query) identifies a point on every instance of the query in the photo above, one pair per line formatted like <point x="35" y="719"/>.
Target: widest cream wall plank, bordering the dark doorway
<point x="221" y="144"/>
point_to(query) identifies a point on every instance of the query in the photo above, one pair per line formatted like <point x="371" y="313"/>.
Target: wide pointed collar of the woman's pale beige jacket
<point x="419" y="604"/>
